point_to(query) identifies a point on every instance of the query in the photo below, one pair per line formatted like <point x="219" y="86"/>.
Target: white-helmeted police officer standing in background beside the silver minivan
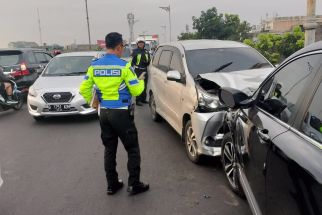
<point x="140" y="61"/>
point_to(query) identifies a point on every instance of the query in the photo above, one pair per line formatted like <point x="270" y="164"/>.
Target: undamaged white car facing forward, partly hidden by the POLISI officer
<point x="56" y="91"/>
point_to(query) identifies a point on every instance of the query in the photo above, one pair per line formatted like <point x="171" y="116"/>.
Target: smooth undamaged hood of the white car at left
<point x="58" y="82"/>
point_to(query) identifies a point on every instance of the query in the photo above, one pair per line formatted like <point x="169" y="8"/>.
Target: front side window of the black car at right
<point x="281" y="95"/>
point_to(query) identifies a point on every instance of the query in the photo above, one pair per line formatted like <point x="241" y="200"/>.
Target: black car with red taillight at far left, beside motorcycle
<point x="24" y="64"/>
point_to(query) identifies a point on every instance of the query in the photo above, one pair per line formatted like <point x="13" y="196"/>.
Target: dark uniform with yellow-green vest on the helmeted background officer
<point x="140" y="61"/>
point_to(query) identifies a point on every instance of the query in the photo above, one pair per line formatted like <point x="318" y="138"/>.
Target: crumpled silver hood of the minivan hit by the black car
<point x="246" y="80"/>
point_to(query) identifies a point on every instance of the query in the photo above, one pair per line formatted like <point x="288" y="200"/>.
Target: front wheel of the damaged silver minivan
<point x="191" y="143"/>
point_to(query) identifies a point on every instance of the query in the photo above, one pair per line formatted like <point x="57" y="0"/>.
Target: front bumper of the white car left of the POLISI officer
<point x="38" y="107"/>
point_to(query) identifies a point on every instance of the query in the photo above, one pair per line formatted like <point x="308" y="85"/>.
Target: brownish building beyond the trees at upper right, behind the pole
<point x="281" y="25"/>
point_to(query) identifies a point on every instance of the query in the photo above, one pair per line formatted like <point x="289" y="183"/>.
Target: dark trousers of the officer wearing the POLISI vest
<point x="119" y="124"/>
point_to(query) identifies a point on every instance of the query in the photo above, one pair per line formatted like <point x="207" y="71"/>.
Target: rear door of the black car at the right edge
<point x="294" y="171"/>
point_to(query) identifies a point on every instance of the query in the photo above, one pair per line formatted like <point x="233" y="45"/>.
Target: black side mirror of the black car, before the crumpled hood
<point x="234" y="99"/>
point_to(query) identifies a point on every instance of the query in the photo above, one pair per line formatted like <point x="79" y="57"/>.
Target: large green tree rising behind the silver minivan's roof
<point x="214" y="25"/>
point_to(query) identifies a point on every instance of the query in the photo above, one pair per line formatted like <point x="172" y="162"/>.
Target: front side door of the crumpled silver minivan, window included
<point x="175" y="89"/>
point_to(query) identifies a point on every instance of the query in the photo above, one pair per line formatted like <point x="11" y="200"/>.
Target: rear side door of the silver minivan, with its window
<point x="160" y="79"/>
